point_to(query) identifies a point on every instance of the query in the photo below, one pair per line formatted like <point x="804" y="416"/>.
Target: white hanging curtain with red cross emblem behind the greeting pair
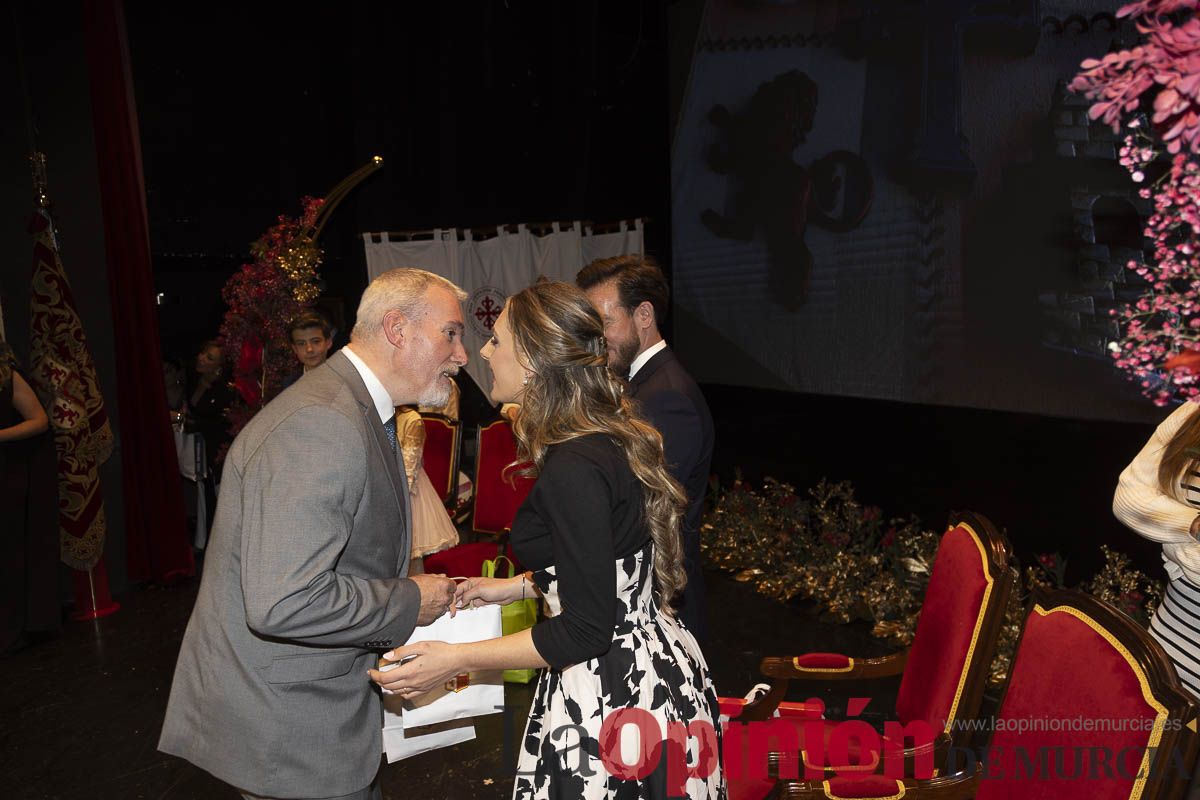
<point x="493" y="269"/>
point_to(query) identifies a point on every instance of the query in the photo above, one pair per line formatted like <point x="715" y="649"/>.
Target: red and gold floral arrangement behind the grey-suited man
<point x="265" y="297"/>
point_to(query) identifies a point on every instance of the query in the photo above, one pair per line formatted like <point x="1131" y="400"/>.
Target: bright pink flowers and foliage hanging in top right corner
<point x="1162" y="329"/>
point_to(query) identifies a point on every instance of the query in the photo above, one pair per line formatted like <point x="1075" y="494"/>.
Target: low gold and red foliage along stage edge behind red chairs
<point x="856" y="566"/>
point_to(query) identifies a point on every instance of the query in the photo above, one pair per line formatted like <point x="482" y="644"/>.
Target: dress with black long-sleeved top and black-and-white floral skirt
<point x="610" y="648"/>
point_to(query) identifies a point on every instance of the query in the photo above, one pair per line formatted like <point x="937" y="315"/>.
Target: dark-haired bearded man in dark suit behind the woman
<point x="632" y="296"/>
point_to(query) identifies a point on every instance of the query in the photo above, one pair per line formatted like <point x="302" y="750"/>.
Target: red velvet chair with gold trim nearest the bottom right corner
<point x="1081" y="664"/>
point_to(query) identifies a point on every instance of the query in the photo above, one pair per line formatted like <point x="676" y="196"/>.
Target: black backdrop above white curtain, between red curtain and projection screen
<point x="484" y="113"/>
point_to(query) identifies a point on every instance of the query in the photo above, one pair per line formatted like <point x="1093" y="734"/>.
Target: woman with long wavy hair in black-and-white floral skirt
<point x="601" y="530"/>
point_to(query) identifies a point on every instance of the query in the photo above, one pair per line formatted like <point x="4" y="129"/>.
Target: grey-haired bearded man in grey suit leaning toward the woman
<point x="305" y="578"/>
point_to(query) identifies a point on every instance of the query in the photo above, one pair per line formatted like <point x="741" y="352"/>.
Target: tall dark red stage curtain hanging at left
<point x="155" y="526"/>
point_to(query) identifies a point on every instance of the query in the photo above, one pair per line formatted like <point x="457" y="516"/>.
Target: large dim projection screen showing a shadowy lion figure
<point x="901" y="201"/>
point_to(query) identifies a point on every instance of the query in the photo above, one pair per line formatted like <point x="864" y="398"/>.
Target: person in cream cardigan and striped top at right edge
<point x="1159" y="496"/>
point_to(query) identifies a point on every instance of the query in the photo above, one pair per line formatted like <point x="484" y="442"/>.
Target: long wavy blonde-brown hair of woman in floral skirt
<point x="560" y="339"/>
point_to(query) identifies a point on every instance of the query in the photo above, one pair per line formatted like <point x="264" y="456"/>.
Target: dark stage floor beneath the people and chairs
<point x="82" y="713"/>
